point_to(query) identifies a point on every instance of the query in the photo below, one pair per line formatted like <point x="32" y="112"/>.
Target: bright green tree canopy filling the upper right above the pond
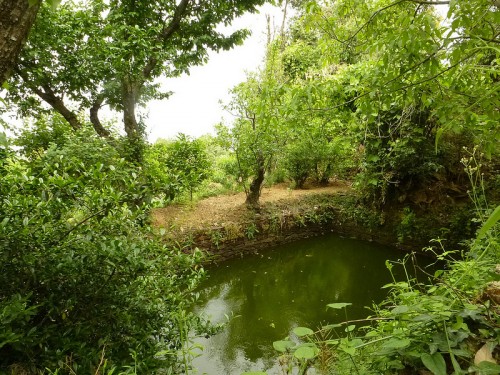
<point x="392" y="83"/>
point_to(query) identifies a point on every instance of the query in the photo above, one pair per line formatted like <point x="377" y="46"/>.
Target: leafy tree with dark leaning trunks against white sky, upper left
<point x="112" y="52"/>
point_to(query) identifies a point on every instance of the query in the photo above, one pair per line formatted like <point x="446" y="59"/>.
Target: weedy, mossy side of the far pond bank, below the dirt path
<point x="285" y="221"/>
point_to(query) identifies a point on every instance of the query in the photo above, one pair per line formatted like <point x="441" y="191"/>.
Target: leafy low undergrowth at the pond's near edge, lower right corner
<point x="449" y="324"/>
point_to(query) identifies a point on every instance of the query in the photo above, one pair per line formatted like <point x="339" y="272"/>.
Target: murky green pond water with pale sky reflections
<point x="265" y="296"/>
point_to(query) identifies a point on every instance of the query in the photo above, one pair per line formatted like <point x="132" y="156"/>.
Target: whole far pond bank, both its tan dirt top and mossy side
<point x="231" y="230"/>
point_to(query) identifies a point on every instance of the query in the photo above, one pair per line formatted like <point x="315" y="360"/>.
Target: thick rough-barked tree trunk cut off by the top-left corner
<point x="16" y="19"/>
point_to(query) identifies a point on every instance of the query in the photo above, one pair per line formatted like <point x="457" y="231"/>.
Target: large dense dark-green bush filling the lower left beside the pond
<point x="79" y="272"/>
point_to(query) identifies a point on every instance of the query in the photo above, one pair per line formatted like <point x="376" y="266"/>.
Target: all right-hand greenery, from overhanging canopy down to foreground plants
<point x="406" y="103"/>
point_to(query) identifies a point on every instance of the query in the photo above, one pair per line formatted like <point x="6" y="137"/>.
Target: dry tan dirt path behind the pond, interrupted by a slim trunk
<point x="223" y="209"/>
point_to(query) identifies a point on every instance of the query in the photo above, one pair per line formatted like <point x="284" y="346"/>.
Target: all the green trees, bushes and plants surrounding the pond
<point x="385" y="94"/>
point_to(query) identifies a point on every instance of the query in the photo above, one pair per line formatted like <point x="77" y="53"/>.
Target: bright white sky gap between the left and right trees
<point x="194" y="107"/>
